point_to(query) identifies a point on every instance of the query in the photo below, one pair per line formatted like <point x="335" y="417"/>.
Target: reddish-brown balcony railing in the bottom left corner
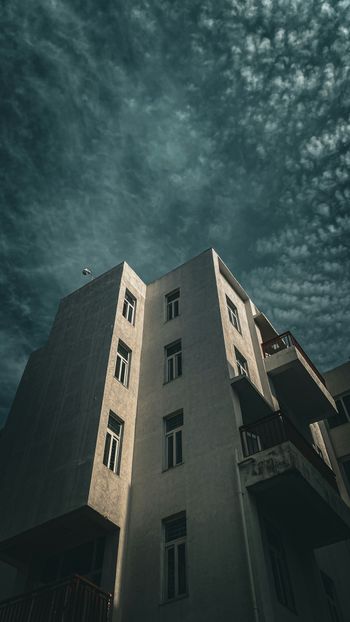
<point x="71" y="600"/>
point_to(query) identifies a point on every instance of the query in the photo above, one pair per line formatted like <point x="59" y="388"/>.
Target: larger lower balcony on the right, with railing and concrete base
<point x="292" y="482"/>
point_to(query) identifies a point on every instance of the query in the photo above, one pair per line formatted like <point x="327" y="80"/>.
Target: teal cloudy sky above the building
<point x="150" y="130"/>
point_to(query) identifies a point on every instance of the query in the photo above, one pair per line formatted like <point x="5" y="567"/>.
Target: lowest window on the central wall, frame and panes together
<point x="175" y="579"/>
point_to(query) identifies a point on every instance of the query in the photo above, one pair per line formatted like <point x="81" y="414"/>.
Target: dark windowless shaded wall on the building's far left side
<point x="48" y="444"/>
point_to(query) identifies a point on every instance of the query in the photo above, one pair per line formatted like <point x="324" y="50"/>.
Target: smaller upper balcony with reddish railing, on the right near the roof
<point x="298" y="383"/>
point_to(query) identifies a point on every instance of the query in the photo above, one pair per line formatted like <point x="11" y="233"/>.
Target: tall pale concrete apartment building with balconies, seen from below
<point x="165" y="446"/>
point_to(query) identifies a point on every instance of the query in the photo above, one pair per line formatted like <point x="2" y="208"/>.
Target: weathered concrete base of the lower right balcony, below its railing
<point x="295" y="492"/>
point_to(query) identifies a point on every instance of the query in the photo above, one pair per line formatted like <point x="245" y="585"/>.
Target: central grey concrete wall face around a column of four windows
<point x="204" y="485"/>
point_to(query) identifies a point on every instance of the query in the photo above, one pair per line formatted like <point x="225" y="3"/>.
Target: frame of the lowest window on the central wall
<point x="175" y="545"/>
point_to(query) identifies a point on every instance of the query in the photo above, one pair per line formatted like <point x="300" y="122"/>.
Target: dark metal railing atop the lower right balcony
<point x="276" y="429"/>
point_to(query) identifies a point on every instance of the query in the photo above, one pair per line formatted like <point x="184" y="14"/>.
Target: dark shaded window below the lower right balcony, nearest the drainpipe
<point x="280" y="572"/>
